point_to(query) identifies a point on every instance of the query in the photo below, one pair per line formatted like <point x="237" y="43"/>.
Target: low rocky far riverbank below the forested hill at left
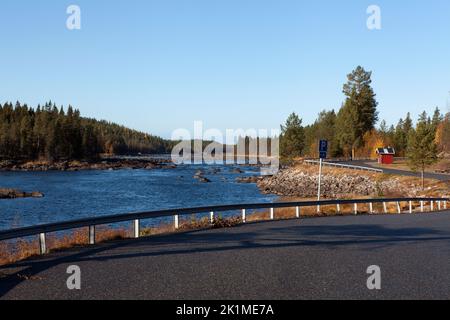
<point x="104" y="164"/>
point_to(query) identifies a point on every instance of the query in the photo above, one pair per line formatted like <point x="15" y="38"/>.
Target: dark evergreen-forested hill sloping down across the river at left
<point x="49" y="132"/>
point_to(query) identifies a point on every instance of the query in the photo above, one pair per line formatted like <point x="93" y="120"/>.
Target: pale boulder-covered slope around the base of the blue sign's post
<point x="298" y="182"/>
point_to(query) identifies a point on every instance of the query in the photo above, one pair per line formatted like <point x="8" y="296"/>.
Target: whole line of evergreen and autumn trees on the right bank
<point x="352" y="131"/>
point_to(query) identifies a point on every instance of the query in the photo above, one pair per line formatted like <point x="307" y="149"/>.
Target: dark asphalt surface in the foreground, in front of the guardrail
<point x="317" y="258"/>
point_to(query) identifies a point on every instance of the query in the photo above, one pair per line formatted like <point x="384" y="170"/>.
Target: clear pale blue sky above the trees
<point x="160" y="65"/>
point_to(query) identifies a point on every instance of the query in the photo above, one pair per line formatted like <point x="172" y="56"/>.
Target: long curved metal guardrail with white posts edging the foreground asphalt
<point x="91" y="223"/>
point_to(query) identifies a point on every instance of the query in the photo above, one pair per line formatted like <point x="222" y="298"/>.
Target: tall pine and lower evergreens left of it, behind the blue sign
<point x="344" y="130"/>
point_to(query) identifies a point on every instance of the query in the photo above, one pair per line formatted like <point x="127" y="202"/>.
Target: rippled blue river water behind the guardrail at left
<point x="74" y="195"/>
